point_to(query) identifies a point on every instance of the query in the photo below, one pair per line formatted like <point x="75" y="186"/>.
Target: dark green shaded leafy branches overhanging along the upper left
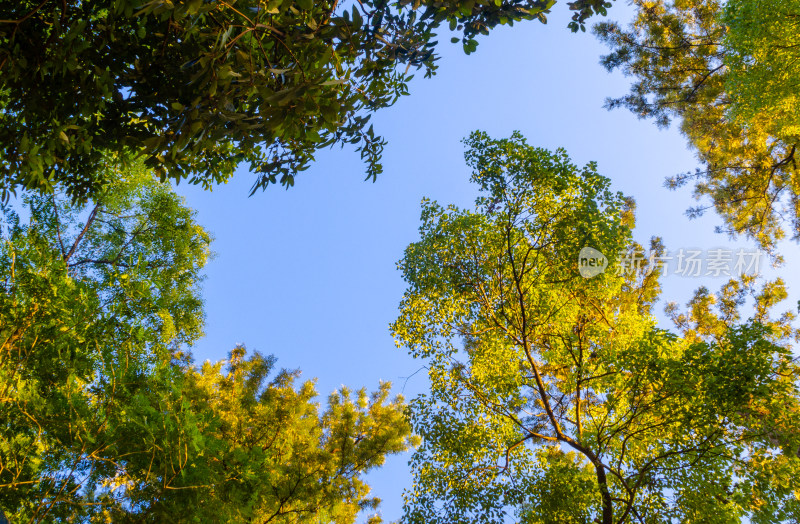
<point x="199" y="87"/>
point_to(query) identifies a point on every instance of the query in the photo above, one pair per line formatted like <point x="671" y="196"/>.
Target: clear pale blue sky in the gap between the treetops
<point x="309" y="274"/>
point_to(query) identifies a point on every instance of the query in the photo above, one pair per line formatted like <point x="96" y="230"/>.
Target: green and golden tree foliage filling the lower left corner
<point x="104" y="417"/>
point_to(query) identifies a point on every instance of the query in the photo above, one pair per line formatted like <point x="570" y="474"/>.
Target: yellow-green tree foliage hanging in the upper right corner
<point x="730" y="75"/>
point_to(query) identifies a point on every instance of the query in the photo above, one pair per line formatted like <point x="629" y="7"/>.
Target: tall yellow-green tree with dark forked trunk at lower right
<point x="558" y="398"/>
